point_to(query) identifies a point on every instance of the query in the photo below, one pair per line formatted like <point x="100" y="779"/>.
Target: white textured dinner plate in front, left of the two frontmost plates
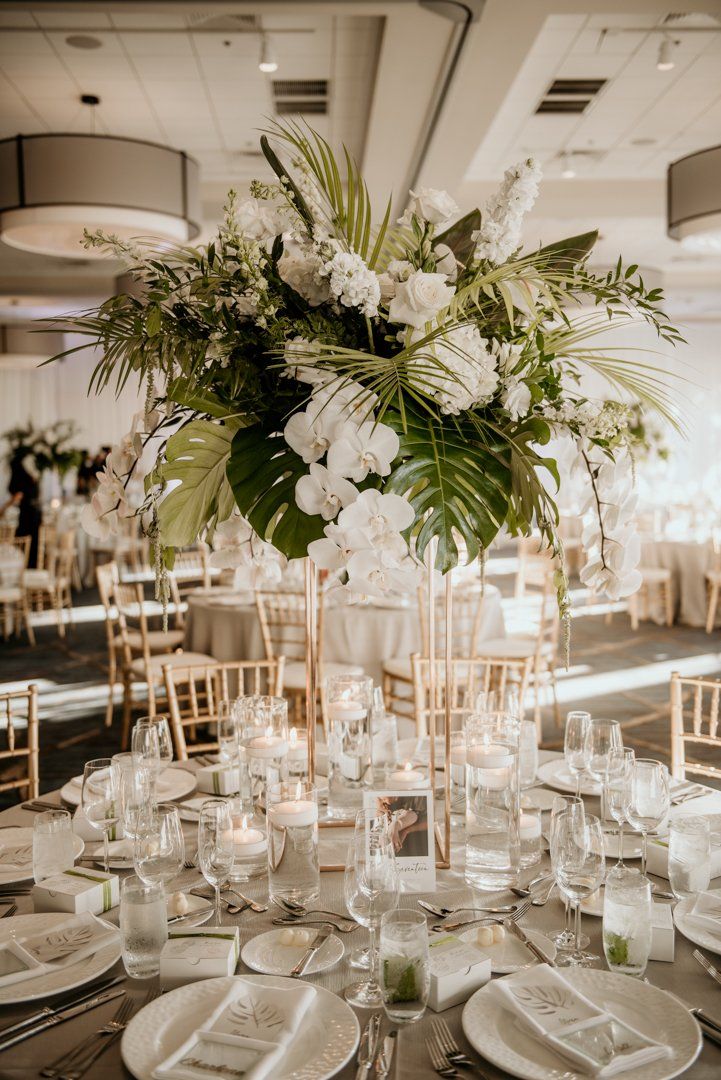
<point x="327" y="1039"/>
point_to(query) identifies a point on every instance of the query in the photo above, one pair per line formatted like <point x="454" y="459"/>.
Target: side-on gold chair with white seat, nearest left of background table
<point x="141" y="664"/>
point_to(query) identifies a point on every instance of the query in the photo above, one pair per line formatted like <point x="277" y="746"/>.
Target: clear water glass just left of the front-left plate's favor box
<point x="143" y="927"/>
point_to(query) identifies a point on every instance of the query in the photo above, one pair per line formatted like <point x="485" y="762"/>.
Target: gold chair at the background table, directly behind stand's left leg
<point x="282" y="618"/>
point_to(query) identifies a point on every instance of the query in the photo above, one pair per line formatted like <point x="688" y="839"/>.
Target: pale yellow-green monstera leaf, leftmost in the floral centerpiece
<point x="197" y="456"/>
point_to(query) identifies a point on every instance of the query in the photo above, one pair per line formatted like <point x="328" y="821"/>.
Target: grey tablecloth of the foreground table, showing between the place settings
<point x="685" y="978"/>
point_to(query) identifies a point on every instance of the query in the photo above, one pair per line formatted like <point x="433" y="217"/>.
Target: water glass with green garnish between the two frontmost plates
<point x="405" y="967"/>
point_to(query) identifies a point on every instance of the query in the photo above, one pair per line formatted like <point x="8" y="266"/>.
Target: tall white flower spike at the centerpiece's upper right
<point x="502" y="219"/>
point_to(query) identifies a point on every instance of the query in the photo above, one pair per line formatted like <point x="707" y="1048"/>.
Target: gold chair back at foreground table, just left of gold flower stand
<point x="194" y="695"/>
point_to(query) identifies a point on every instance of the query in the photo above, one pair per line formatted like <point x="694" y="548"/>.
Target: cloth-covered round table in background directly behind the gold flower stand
<point x="226" y="626"/>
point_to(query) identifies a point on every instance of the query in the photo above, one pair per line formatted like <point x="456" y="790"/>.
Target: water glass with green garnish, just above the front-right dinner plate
<point x="628" y="920"/>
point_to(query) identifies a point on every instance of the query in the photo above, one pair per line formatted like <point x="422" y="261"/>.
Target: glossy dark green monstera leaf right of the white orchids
<point x="456" y="480"/>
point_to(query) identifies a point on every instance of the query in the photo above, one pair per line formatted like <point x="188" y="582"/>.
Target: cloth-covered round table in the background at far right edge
<point x="688" y="561"/>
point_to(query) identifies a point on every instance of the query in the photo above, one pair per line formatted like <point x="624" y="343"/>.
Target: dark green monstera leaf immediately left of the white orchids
<point x="263" y="472"/>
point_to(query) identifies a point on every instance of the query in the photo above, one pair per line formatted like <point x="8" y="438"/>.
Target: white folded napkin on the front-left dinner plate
<point x="247" y="1035"/>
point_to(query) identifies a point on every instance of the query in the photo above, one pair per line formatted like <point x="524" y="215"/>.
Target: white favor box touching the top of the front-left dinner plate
<point x="198" y="953"/>
